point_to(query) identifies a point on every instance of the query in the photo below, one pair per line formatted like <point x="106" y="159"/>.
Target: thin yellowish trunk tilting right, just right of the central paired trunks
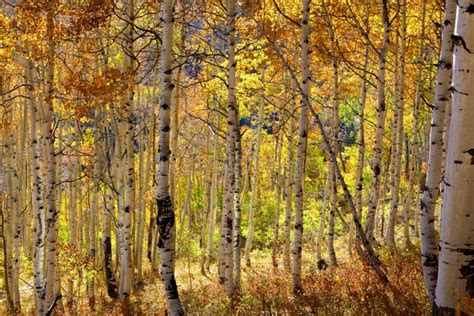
<point x="251" y="227"/>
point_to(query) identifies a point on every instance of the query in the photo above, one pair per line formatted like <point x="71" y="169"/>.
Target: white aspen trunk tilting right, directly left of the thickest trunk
<point x="429" y="243"/>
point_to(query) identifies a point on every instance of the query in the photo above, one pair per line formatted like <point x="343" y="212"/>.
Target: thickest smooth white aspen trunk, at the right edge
<point x="456" y="259"/>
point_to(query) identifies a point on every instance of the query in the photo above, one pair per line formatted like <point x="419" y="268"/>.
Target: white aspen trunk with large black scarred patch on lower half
<point x="166" y="214"/>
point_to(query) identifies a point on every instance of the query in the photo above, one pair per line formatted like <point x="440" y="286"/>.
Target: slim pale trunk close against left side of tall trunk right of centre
<point x="289" y="183"/>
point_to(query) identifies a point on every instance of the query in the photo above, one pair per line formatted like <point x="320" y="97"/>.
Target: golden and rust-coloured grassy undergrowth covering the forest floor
<point x="349" y="289"/>
